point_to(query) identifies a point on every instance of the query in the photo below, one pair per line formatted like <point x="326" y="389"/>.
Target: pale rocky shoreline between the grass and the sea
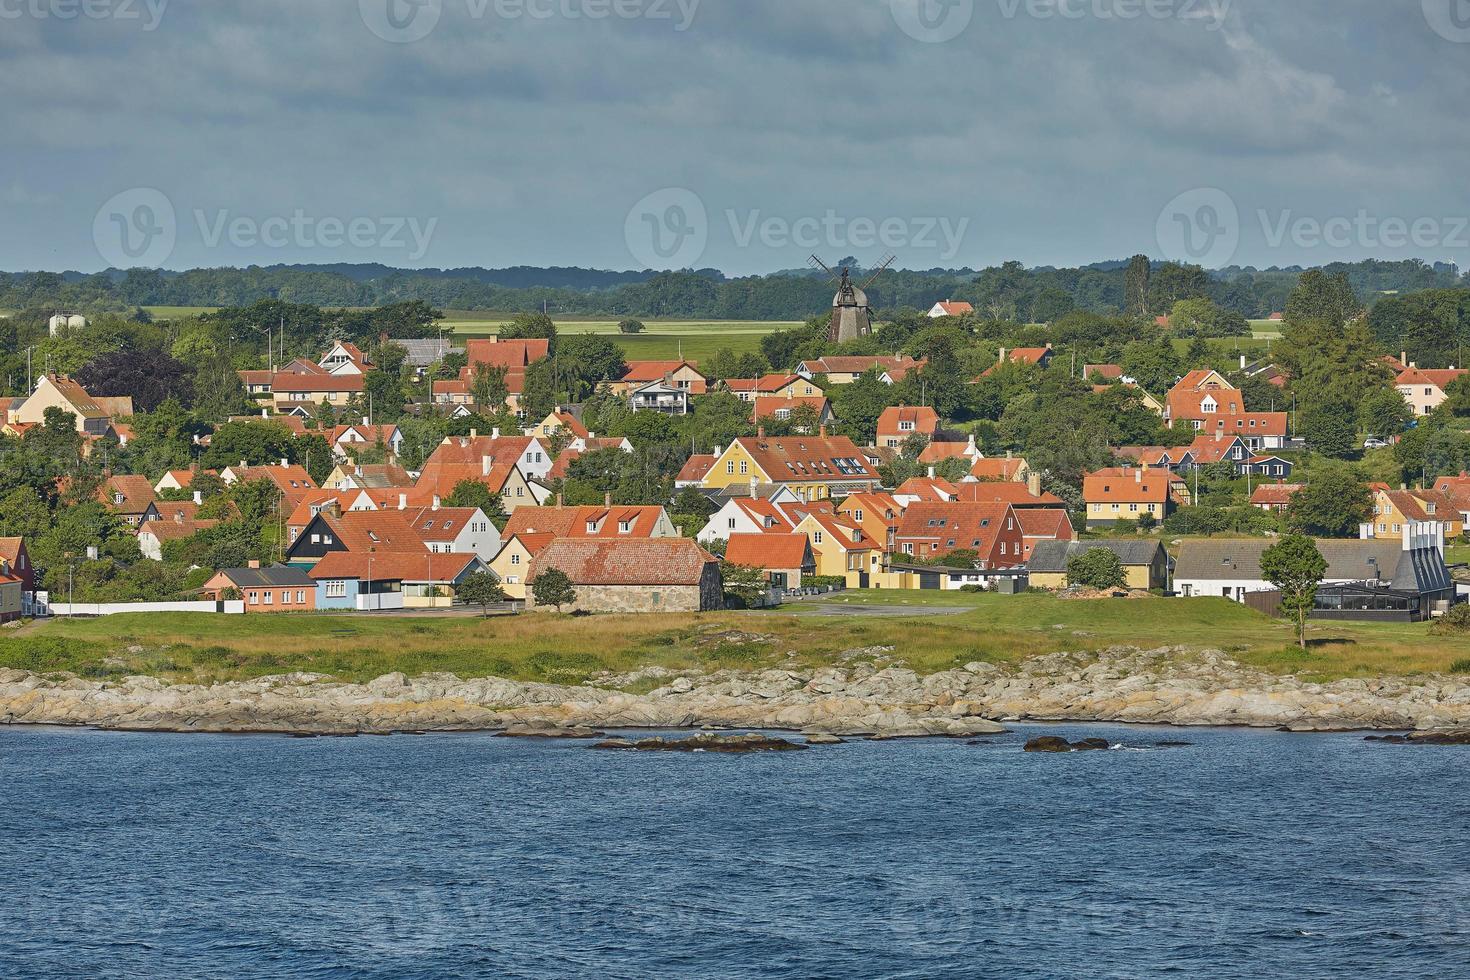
<point x="864" y="697"/>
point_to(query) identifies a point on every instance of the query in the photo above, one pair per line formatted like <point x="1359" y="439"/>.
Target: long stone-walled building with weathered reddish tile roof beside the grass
<point x="634" y="575"/>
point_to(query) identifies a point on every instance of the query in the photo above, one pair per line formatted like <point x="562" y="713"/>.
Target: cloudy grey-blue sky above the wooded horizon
<point x="733" y="134"/>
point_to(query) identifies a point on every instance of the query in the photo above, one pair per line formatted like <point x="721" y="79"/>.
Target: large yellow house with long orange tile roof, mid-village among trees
<point x="814" y="468"/>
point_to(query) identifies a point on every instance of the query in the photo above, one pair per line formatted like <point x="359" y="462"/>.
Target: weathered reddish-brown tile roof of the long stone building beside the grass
<point x="627" y="562"/>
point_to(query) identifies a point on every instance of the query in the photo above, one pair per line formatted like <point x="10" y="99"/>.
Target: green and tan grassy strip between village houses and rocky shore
<point x="996" y="630"/>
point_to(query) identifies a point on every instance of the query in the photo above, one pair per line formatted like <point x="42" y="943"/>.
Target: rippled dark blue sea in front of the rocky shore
<point x="1244" y="854"/>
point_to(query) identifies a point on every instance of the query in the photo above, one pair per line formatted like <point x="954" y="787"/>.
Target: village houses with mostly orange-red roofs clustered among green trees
<point x="800" y="509"/>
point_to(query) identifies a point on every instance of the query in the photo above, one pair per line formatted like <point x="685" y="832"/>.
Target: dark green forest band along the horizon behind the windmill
<point x="1011" y="292"/>
